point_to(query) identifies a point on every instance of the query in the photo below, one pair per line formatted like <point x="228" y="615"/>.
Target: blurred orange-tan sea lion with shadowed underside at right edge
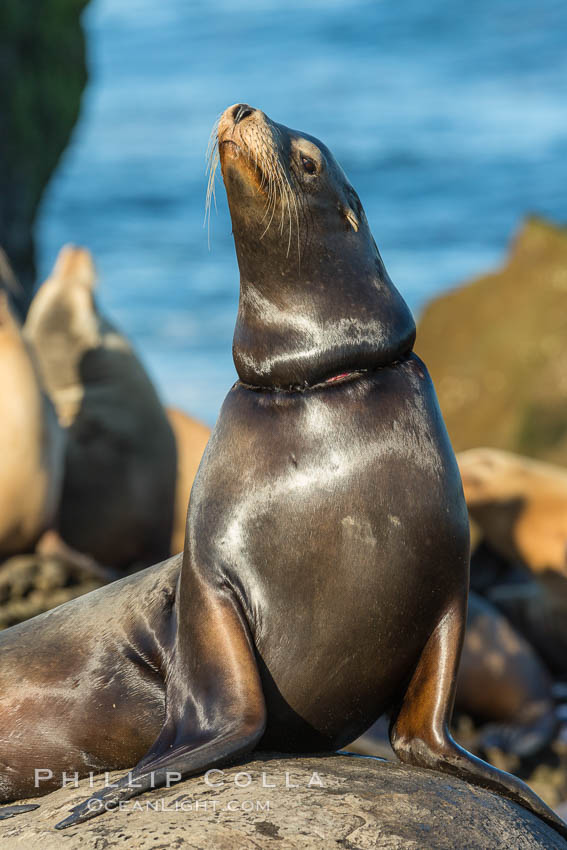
<point x="520" y="505"/>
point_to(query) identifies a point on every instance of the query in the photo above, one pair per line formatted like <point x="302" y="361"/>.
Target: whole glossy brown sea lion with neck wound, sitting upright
<point x="325" y="572"/>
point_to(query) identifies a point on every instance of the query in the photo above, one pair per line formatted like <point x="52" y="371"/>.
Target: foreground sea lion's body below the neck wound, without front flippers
<point x="310" y="705"/>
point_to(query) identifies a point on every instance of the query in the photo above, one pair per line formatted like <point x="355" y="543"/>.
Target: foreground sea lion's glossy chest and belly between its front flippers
<point x="337" y="516"/>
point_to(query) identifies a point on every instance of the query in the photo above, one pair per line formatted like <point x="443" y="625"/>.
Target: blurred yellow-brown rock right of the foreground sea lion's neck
<point x="497" y="350"/>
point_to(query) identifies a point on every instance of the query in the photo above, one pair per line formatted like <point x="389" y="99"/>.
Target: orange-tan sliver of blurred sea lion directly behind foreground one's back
<point x="191" y="437"/>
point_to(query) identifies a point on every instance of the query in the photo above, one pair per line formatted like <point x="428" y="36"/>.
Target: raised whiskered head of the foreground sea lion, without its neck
<point x="281" y="183"/>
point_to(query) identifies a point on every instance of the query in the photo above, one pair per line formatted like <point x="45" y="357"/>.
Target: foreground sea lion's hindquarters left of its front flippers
<point x="75" y="702"/>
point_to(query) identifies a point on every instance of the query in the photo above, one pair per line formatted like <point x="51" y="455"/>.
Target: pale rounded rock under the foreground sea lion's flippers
<point x="336" y="801"/>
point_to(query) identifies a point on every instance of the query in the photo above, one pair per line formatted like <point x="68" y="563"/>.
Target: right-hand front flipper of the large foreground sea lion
<point x="420" y="734"/>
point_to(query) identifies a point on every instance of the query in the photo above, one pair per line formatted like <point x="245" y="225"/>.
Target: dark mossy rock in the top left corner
<point x="43" y="73"/>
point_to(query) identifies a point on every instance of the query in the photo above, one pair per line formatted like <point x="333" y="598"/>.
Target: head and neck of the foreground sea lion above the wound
<point x="315" y="298"/>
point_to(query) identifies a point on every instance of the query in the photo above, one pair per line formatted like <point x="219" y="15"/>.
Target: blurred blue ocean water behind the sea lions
<point x="450" y="119"/>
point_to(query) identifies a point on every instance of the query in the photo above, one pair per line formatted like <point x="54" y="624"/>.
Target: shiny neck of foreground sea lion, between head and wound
<point x="300" y="324"/>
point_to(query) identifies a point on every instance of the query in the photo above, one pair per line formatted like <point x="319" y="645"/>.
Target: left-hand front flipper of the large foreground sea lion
<point x="215" y="710"/>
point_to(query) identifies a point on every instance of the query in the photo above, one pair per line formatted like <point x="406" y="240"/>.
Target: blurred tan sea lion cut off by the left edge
<point x="31" y="457"/>
